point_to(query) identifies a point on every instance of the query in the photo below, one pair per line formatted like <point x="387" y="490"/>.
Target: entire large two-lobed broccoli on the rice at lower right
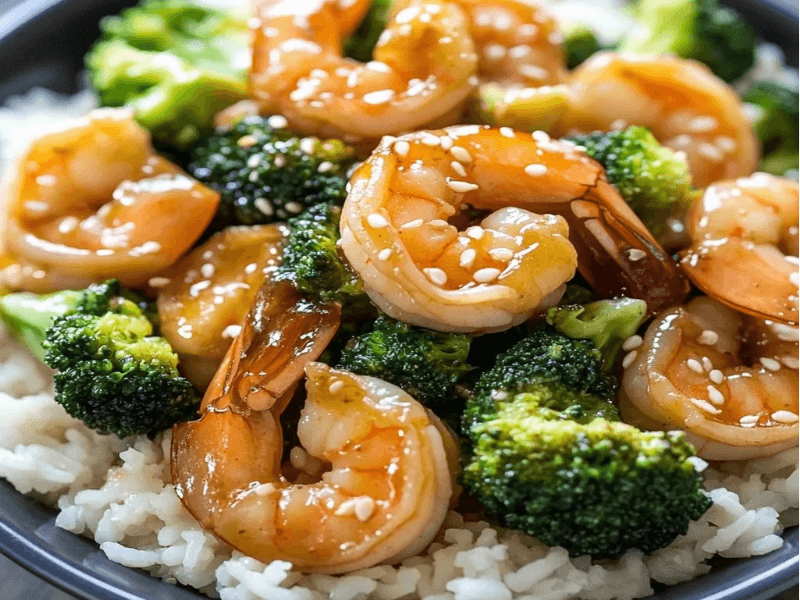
<point x="550" y="457"/>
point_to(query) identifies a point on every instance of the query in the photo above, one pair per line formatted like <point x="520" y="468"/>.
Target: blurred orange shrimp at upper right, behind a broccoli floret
<point x="686" y="106"/>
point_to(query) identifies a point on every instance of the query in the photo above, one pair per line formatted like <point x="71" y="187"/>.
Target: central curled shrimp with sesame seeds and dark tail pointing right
<point x="421" y="269"/>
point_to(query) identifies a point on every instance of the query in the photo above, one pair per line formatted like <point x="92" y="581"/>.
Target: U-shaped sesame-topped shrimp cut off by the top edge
<point x="424" y="66"/>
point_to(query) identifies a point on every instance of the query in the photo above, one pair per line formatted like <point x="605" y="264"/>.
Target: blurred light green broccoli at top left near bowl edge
<point x="176" y="63"/>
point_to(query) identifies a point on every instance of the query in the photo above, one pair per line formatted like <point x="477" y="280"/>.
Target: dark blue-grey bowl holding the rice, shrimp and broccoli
<point x="43" y="43"/>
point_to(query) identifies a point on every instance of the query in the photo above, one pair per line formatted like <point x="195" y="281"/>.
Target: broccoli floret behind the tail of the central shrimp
<point x="653" y="180"/>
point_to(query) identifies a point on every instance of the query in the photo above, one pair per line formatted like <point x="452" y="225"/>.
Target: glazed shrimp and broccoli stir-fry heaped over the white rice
<point x="364" y="264"/>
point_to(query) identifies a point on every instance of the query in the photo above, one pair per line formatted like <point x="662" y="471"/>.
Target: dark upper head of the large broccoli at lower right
<point x="565" y="373"/>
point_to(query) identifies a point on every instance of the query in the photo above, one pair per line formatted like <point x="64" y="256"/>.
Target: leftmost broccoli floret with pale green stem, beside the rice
<point x="113" y="373"/>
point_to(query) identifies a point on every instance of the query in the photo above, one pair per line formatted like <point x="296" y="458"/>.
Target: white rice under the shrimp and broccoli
<point x="118" y="492"/>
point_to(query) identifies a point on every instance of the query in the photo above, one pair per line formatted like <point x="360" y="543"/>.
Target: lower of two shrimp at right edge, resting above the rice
<point x="729" y="380"/>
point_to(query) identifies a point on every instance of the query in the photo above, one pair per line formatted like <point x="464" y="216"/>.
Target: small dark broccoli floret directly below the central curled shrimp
<point x="426" y="364"/>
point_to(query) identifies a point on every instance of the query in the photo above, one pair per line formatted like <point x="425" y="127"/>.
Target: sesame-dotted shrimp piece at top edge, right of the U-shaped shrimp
<point x="518" y="42"/>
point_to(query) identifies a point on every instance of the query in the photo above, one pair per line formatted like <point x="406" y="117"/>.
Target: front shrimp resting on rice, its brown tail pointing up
<point x="388" y="487"/>
